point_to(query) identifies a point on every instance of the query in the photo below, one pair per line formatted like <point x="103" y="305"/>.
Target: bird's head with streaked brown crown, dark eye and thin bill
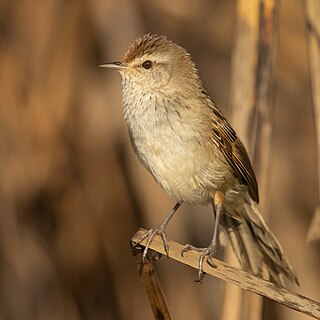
<point x="154" y="62"/>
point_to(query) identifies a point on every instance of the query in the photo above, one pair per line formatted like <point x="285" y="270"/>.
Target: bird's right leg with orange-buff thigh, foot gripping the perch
<point x="210" y="251"/>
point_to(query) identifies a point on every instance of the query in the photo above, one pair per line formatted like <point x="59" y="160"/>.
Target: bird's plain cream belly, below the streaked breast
<point x="183" y="167"/>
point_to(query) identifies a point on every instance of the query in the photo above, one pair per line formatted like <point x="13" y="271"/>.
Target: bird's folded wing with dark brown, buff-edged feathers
<point x="234" y="151"/>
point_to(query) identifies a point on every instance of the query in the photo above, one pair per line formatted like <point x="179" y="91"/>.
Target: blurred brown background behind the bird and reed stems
<point x="72" y="193"/>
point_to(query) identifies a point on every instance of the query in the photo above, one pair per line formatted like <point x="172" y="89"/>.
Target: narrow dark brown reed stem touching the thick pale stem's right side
<point x="269" y="21"/>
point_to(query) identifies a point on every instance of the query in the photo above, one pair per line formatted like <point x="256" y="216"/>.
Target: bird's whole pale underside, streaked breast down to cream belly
<point x="173" y="151"/>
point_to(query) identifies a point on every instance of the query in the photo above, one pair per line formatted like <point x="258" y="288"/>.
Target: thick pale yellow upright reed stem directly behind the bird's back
<point x="242" y="103"/>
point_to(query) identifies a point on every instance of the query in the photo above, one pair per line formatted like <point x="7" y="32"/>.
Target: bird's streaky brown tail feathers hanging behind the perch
<point x="256" y="247"/>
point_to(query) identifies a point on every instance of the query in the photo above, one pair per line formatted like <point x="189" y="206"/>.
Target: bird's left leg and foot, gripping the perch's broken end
<point x="160" y="230"/>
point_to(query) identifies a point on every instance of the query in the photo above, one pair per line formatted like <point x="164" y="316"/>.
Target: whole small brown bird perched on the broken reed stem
<point x="188" y="146"/>
